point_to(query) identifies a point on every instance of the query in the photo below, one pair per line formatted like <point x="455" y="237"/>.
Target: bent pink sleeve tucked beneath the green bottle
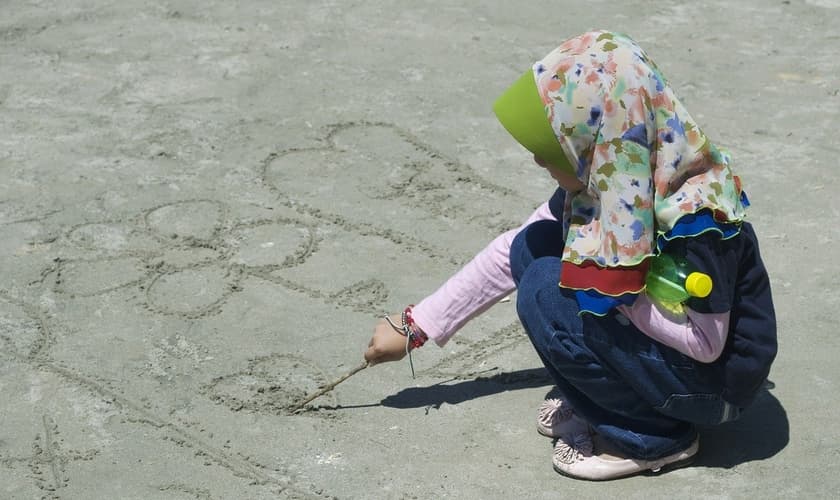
<point x="698" y="336"/>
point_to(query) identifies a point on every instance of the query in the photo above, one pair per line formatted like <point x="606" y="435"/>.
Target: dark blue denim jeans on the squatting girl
<point x="640" y="395"/>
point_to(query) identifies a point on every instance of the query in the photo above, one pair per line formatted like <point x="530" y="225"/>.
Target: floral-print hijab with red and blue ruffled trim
<point x="651" y="173"/>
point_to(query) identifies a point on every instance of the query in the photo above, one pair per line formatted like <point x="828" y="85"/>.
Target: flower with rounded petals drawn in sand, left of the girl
<point x="186" y="257"/>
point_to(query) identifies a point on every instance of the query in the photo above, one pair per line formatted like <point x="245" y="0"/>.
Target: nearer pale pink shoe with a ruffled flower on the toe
<point x="587" y="456"/>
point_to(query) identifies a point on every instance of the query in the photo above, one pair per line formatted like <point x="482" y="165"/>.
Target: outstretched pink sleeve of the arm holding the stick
<point x="482" y="282"/>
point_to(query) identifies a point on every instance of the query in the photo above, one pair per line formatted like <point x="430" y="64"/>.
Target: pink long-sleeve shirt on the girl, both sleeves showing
<point x="487" y="278"/>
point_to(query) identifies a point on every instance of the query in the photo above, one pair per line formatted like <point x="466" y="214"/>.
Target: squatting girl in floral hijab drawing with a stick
<point x="637" y="177"/>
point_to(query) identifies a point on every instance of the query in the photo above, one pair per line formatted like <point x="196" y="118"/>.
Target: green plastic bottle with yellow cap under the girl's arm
<point x="671" y="280"/>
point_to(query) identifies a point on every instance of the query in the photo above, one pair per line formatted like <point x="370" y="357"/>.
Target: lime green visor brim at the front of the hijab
<point x="522" y="113"/>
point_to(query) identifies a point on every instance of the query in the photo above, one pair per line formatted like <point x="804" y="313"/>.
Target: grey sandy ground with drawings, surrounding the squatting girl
<point x="204" y="205"/>
